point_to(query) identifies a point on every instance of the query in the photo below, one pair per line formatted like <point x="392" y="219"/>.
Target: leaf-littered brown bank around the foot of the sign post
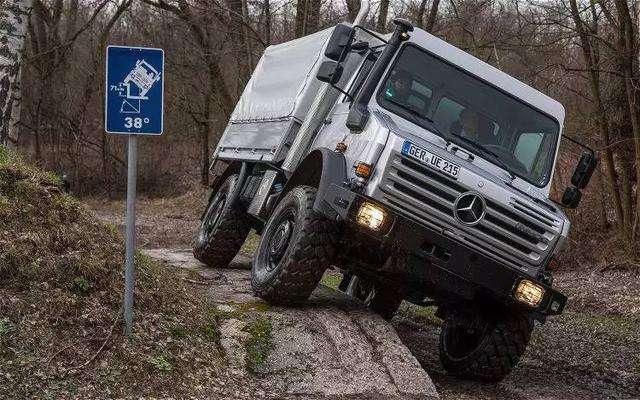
<point x="61" y="286"/>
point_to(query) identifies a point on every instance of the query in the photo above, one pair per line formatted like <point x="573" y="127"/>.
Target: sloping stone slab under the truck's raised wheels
<point x="331" y="348"/>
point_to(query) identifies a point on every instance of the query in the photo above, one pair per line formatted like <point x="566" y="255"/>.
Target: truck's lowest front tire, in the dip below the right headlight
<point x="496" y="353"/>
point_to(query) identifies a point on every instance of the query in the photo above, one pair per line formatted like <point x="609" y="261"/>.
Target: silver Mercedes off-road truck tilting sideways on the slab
<point x="416" y="169"/>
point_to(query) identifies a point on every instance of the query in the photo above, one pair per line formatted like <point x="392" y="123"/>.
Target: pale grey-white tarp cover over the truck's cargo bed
<point x="277" y="86"/>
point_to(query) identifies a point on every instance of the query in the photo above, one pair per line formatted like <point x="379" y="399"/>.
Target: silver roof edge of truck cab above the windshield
<point x="488" y="73"/>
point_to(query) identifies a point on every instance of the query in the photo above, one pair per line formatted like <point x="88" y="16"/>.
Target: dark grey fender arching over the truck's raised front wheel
<point x="326" y="170"/>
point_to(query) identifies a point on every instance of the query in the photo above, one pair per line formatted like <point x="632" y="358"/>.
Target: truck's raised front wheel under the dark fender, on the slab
<point x="309" y="250"/>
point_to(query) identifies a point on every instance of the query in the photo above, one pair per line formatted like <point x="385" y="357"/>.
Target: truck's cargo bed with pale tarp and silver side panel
<point x="275" y="101"/>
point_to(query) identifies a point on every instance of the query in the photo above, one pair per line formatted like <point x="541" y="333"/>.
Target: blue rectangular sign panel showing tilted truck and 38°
<point x="134" y="95"/>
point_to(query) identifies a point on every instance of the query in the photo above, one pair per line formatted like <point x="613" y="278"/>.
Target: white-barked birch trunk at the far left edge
<point x="14" y="18"/>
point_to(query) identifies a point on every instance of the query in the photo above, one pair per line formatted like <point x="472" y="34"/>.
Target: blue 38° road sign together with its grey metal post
<point x="134" y="105"/>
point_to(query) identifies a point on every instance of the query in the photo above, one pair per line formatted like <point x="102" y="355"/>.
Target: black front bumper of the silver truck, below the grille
<point x="442" y="263"/>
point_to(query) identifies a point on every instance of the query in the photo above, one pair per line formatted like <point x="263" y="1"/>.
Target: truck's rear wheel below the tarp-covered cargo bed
<point x="220" y="244"/>
